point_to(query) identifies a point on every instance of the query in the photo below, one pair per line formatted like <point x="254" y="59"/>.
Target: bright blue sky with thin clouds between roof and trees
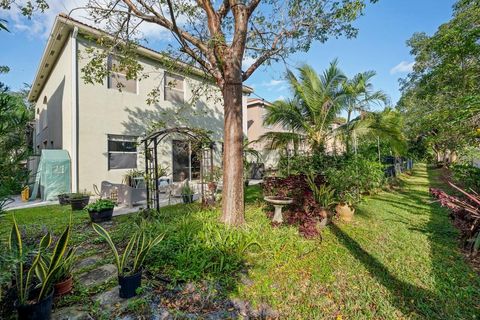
<point x="380" y="45"/>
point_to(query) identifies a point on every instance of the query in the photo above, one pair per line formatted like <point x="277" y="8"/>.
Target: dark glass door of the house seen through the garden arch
<point x="185" y="161"/>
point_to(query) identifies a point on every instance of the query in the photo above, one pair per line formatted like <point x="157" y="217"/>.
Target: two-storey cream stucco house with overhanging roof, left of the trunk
<point x="99" y="125"/>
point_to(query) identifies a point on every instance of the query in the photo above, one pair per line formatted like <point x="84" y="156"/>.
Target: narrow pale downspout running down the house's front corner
<point x="74" y="111"/>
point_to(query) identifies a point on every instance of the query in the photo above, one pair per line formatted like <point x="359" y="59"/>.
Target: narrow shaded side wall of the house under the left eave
<point x="57" y="92"/>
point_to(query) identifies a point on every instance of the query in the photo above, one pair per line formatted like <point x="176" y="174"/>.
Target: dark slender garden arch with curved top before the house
<point x="157" y="137"/>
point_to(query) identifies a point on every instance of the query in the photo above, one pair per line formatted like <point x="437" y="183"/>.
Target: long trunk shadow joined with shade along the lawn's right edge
<point x="456" y="293"/>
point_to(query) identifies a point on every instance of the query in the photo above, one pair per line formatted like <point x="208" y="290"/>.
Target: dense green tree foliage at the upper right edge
<point x="440" y="97"/>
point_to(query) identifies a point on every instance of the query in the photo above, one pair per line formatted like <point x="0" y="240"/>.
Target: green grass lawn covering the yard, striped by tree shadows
<point x="399" y="259"/>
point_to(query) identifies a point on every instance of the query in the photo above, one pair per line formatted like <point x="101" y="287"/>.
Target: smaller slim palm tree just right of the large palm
<point x="359" y="96"/>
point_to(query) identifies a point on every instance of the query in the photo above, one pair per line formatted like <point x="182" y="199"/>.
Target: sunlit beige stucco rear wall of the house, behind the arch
<point x="104" y="111"/>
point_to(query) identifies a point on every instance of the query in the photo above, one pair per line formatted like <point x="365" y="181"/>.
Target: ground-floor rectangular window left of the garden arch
<point x="122" y="152"/>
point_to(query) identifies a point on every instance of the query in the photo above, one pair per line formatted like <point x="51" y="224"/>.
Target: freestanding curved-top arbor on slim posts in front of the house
<point x="151" y="143"/>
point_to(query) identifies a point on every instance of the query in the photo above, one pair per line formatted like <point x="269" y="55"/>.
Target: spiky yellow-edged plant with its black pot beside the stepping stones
<point x="129" y="264"/>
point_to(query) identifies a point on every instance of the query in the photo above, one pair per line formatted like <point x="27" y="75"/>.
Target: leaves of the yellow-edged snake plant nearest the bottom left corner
<point x="46" y="270"/>
